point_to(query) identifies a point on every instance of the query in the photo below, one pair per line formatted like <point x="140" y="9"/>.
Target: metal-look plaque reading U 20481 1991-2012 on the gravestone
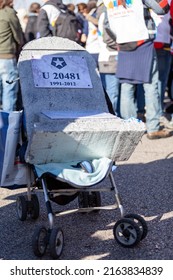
<point x="60" y="71"/>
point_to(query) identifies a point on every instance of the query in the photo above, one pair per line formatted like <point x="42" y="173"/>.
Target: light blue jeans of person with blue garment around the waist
<point x="128" y="106"/>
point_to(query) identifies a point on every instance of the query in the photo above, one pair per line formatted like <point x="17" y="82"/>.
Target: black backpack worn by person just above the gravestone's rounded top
<point x="68" y="26"/>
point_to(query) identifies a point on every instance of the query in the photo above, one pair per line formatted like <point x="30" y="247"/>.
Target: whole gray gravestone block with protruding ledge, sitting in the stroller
<point x="66" y="113"/>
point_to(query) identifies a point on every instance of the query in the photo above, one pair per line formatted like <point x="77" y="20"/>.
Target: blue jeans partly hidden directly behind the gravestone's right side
<point x="111" y="85"/>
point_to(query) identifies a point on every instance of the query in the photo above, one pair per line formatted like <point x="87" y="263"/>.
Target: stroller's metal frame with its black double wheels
<point x="128" y="231"/>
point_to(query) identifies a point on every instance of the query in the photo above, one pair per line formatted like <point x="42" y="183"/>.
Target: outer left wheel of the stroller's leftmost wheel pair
<point x="22" y="207"/>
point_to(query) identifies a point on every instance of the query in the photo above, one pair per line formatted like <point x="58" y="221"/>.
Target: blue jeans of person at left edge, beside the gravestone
<point x="8" y="92"/>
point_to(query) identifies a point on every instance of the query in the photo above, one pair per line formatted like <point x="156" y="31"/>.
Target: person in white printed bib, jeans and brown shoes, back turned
<point x="137" y="61"/>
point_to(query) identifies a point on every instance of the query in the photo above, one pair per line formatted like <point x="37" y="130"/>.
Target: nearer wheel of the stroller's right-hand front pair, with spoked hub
<point x="127" y="233"/>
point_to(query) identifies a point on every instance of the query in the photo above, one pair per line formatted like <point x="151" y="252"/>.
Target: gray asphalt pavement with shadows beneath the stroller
<point x="145" y="183"/>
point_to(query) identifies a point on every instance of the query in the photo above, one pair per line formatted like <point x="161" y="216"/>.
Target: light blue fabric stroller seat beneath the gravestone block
<point x="76" y="176"/>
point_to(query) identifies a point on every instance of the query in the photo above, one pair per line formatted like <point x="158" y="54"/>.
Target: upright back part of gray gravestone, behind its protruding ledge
<point x="60" y="99"/>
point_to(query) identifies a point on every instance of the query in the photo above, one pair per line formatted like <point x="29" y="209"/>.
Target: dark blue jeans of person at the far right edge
<point x="164" y="65"/>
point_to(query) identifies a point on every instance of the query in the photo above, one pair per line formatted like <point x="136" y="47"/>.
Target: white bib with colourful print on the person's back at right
<point x="128" y="23"/>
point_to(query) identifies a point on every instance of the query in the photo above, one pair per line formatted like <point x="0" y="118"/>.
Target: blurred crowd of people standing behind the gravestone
<point x="136" y="78"/>
